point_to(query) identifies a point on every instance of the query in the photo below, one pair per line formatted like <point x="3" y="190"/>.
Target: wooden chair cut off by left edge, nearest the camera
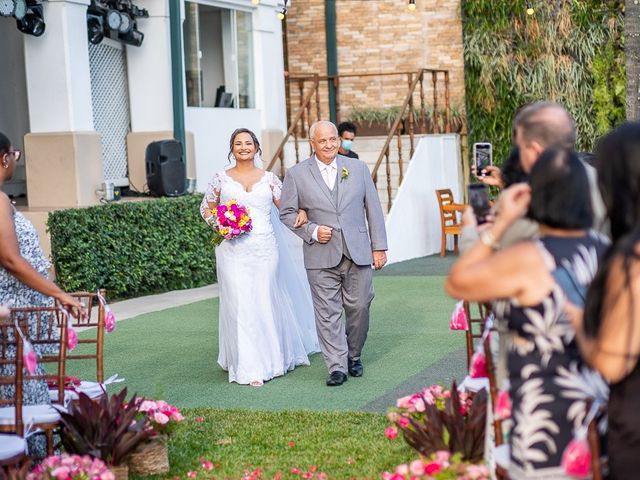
<point x="13" y="446"/>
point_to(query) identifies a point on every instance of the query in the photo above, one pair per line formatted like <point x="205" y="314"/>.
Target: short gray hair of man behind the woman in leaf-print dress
<point x="547" y="123"/>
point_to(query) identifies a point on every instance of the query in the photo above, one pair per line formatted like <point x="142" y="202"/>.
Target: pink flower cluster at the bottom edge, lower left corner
<point x="70" y="467"/>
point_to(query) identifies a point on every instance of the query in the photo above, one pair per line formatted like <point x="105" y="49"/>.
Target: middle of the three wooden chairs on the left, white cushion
<point x="46" y="329"/>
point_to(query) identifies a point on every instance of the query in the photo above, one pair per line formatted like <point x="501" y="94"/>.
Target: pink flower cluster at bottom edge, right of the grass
<point x="440" y="465"/>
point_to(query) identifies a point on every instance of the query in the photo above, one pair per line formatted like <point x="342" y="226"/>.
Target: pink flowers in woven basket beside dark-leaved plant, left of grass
<point x="152" y="457"/>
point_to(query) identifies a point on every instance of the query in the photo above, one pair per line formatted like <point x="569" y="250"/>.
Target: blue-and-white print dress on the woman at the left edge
<point x="15" y="294"/>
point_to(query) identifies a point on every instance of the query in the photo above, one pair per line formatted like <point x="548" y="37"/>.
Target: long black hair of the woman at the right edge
<point x="617" y="160"/>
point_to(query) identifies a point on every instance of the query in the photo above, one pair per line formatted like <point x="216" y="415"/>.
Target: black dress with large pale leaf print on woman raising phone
<point x="549" y="383"/>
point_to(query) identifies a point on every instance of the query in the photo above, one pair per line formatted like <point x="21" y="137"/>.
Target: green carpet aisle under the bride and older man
<point x="172" y="353"/>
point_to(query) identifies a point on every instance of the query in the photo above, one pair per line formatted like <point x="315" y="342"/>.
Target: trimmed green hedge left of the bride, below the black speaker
<point x="133" y="248"/>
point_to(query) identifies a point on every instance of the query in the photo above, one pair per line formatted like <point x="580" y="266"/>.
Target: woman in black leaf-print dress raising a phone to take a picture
<point x="549" y="383"/>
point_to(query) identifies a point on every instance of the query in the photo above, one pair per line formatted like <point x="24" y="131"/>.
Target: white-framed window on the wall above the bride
<point x="218" y="55"/>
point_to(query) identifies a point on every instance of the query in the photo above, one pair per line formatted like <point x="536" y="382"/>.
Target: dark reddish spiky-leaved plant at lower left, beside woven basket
<point x="106" y="428"/>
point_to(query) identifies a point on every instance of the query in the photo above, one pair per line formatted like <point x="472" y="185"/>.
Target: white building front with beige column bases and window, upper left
<point x="84" y="112"/>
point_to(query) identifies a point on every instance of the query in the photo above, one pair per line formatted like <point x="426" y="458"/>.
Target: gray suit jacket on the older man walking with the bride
<point x="357" y="217"/>
